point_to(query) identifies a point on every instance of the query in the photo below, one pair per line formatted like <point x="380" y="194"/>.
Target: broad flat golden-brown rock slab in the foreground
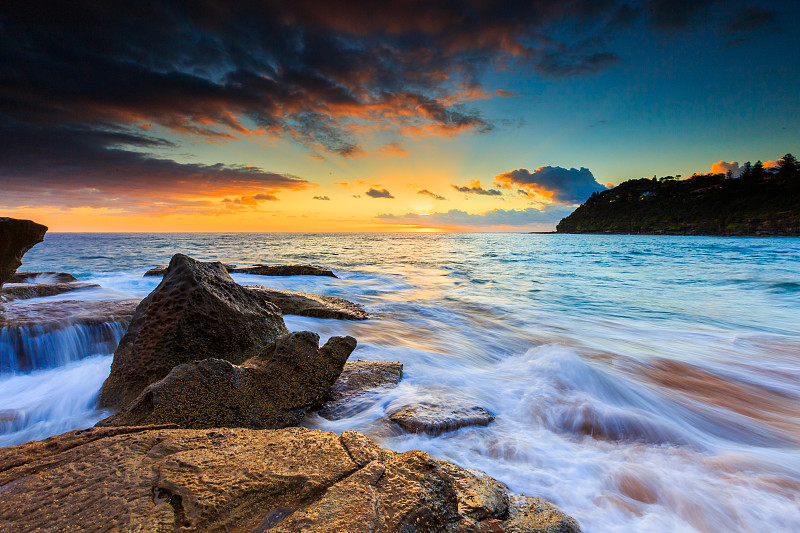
<point x="163" y="480"/>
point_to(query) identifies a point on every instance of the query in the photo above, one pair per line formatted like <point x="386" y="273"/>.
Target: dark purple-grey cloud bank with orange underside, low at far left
<point x="87" y="167"/>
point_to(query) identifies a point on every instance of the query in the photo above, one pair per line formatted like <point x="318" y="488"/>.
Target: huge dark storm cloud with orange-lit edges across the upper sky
<point x="320" y="73"/>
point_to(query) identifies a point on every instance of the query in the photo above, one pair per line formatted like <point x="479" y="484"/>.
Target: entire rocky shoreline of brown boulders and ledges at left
<point x="207" y="387"/>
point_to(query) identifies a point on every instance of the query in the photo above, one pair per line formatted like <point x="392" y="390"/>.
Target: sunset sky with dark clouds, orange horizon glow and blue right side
<point x="432" y="115"/>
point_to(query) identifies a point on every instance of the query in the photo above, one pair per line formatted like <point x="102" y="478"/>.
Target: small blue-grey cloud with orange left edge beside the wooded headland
<point x="566" y="186"/>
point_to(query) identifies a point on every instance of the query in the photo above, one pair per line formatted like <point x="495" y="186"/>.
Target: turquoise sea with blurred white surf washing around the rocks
<point x="645" y="383"/>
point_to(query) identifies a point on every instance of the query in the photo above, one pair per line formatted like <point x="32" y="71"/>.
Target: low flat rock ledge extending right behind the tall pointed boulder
<point x="307" y="304"/>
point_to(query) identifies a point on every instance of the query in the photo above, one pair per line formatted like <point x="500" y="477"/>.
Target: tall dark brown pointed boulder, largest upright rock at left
<point x="196" y="312"/>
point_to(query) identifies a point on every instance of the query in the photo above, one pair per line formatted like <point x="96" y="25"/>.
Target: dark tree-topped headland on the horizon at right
<point x="710" y="204"/>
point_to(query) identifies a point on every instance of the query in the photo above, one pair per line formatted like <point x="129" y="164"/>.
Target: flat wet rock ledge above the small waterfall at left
<point x="48" y="316"/>
